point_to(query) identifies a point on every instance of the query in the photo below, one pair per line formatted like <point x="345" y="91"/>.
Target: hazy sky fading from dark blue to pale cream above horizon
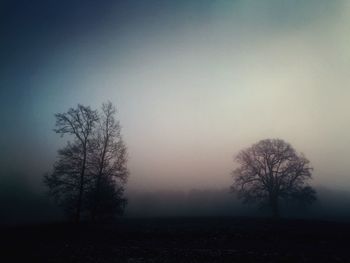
<point x="194" y="82"/>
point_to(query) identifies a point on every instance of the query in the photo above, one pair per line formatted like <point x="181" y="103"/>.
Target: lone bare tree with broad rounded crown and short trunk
<point x="271" y="171"/>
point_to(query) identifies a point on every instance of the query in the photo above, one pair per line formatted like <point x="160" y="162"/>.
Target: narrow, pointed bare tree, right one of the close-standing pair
<point x="109" y="165"/>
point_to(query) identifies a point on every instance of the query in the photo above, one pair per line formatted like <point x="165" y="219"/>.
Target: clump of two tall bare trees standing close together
<point x="90" y="173"/>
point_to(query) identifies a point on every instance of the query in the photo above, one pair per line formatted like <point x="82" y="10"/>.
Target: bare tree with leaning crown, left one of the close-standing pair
<point x="68" y="178"/>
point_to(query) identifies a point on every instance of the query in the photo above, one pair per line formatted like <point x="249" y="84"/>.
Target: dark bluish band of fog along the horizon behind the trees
<point x="23" y="204"/>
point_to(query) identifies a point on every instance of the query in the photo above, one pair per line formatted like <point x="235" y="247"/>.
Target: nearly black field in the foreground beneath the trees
<point x="179" y="240"/>
